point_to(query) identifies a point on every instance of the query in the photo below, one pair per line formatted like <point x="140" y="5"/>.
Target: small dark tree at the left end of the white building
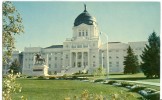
<point x="15" y="66"/>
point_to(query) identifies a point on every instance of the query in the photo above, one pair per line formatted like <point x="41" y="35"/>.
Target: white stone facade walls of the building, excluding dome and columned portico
<point x="59" y="58"/>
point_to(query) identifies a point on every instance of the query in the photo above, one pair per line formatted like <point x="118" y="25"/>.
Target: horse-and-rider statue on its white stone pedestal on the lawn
<point x="39" y="66"/>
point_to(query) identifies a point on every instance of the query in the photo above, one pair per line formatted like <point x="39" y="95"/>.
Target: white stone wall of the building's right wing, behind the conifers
<point x="117" y="51"/>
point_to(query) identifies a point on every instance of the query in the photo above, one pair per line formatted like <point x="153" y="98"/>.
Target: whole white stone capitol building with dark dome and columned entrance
<point x="84" y="51"/>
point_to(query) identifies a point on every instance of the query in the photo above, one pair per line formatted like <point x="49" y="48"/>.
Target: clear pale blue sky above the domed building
<point x="50" y="23"/>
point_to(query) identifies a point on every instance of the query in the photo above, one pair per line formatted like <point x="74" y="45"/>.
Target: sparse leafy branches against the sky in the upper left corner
<point x="12" y="25"/>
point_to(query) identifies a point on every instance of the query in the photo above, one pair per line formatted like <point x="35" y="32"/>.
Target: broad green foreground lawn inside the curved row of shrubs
<point x="59" y="89"/>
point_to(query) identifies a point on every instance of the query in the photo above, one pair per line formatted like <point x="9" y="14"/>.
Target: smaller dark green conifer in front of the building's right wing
<point x="131" y="64"/>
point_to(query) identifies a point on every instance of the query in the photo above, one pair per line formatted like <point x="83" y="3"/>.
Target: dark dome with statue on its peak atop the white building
<point x="85" y="18"/>
